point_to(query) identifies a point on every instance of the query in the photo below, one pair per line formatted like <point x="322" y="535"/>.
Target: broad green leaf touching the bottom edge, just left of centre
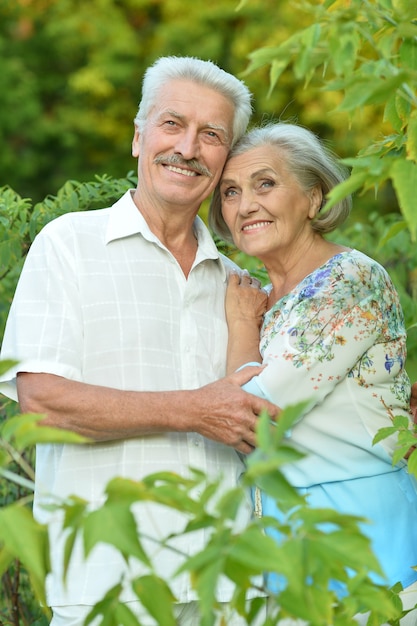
<point x="156" y="597"/>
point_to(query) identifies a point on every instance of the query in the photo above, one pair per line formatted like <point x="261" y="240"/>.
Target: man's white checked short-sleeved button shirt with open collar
<point x="102" y="301"/>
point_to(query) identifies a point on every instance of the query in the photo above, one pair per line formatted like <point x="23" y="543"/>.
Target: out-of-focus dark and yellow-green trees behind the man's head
<point x="71" y="74"/>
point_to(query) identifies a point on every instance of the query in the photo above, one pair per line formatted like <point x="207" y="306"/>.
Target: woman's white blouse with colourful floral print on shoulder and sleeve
<point x="339" y="340"/>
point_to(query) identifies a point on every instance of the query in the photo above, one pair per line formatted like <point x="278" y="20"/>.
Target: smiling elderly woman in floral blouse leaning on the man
<point x="331" y="330"/>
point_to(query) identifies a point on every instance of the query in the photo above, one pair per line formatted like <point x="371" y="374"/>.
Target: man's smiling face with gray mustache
<point x="183" y="146"/>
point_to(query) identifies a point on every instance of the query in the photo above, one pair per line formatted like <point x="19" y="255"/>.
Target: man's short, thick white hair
<point x="205" y="73"/>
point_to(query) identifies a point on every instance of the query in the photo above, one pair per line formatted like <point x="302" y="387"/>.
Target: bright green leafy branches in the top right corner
<point x="366" y="51"/>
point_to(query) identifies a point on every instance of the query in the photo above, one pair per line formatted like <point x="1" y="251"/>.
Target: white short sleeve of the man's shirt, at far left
<point x="43" y="330"/>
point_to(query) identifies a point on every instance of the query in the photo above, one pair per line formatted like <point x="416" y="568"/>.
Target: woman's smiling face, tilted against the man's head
<point x="263" y="204"/>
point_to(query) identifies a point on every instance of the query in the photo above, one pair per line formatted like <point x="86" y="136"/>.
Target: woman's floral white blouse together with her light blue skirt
<point x="338" y="340"/>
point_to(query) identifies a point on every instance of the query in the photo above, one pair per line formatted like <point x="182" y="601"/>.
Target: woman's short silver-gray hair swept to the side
<point x="307" y="159"/>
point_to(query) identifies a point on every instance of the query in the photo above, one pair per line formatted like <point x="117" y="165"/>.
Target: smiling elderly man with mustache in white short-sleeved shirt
<point x="118" y="325"/>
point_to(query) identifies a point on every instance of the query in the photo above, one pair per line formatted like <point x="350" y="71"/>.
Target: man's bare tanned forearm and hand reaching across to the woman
<point x="221" y="411"/>
